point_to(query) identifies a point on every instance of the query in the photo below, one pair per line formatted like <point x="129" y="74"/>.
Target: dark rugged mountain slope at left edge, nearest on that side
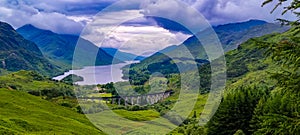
<point x="17" y="53"/>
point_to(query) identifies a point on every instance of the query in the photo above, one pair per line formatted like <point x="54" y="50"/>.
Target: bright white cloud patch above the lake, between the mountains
<point x="140" y="40"/>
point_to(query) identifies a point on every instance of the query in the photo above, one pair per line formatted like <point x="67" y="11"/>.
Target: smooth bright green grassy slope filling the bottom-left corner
<point x="21" y="113"/>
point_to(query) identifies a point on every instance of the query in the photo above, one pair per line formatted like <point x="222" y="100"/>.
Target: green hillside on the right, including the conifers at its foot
<point x="266" y="99"/>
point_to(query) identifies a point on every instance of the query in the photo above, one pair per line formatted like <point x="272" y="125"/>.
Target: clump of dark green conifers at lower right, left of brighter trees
<point x="235" y="111"/>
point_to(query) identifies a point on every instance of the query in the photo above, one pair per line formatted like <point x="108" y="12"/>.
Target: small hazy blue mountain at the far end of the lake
<point x="122" y="55"/>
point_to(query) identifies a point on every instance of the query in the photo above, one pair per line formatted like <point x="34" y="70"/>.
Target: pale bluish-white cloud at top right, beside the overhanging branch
<point x="227" y="11"/>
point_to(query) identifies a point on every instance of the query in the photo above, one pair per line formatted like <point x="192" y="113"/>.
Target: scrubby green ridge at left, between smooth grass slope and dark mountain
<point x="36" y="84"/>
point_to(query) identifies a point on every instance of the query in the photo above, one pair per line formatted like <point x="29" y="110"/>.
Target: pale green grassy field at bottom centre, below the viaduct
<point x="113" y="123"/>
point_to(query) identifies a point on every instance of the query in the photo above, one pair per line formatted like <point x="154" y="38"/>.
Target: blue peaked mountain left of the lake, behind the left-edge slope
<point x="60" y="47"/>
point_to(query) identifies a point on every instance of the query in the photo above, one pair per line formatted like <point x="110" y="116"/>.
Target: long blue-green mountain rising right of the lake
<point x="230" y="36"/>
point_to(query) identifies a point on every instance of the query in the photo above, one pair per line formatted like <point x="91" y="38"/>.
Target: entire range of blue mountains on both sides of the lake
<point x="57" y="50"/>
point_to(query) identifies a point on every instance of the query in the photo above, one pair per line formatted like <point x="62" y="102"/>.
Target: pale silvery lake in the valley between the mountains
<point x="98" y="74"/>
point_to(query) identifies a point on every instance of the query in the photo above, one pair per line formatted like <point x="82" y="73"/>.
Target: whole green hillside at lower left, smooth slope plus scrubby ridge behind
<point x="34" y="104"/>
